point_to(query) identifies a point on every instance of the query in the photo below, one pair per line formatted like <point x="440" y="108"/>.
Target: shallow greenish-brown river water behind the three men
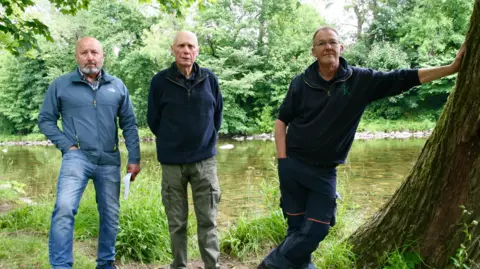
<point x="373" y="171"/>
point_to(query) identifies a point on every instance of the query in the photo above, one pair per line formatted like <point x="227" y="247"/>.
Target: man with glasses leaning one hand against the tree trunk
<point x="322" y="109"/>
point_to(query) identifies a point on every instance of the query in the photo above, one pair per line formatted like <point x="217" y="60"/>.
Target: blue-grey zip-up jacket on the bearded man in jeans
<point x="89" y="118"/>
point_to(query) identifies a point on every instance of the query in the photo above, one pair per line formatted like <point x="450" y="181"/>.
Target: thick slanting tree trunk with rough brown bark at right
<point x="425" y="212"/>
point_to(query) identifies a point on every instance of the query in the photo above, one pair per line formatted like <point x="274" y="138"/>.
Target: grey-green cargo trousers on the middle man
<point x="203" y="180"/>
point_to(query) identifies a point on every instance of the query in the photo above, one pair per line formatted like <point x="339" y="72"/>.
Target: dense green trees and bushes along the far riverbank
<point x="254" y="47"/>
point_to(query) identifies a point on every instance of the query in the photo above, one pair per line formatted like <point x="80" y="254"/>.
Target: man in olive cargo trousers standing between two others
<point x="185" y="114"/>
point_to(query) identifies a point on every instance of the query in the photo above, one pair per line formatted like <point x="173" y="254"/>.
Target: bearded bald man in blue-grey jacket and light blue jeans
<point x="89" y="102"/>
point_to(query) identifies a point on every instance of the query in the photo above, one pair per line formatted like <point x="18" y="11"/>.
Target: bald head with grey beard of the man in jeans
<point x="89" y="55"/>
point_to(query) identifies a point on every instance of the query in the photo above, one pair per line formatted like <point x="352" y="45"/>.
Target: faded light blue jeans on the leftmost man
<point x="74" y="174"/>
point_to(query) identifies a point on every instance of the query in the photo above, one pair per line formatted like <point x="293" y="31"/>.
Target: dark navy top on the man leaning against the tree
<point x="323" y="116"/>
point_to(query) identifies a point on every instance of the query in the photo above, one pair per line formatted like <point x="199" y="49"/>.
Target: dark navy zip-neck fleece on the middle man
<point x="184" y="115"/>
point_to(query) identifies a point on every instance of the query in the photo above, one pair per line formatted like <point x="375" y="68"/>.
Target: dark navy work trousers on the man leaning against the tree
<point x="309" y="201"/>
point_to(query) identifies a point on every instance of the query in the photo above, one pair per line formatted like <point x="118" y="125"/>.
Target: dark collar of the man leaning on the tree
<point x="312" y="77"/>
